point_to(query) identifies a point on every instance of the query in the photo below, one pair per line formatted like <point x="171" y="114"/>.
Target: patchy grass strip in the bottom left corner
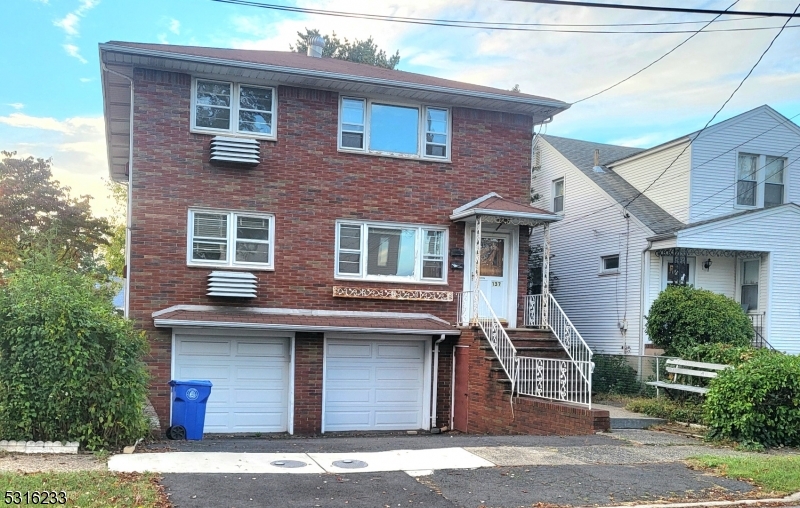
<point x="90" y="489"/>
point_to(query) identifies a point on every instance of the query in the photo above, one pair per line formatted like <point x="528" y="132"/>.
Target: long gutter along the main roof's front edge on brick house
<point x="333" y="75"/>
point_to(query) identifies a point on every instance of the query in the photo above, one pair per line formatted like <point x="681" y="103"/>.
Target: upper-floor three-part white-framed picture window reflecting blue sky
<point x="401" y="130"/>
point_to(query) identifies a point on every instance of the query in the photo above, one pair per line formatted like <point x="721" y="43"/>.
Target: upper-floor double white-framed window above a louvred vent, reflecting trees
<point x="237" y="108"/>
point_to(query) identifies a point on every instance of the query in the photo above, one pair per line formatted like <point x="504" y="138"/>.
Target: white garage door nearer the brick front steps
<point x="374" y="384"/>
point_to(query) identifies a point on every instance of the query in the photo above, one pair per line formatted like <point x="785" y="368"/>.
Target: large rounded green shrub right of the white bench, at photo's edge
<point x="758" y="401"/>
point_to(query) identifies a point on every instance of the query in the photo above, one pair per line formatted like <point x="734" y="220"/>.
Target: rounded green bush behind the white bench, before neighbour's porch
<point x="682" y="317"/>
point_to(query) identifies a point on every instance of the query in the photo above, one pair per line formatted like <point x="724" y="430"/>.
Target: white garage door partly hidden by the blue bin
<point x="250" y="377"/>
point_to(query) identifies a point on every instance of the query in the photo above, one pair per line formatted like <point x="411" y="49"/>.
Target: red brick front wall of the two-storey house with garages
<point x="307" y="184"/>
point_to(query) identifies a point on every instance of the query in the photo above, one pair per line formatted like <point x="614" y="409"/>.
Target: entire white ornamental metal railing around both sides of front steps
<point x="549" y="378"/>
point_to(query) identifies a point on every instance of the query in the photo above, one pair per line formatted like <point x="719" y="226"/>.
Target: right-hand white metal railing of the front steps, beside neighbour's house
<point x="566" y="333"/>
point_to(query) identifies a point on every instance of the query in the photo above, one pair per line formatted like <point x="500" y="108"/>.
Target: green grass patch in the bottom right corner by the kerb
<point x="773" y="473"/>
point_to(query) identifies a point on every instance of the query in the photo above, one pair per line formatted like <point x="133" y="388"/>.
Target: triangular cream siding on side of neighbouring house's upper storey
<point x="671" y="191"/>
